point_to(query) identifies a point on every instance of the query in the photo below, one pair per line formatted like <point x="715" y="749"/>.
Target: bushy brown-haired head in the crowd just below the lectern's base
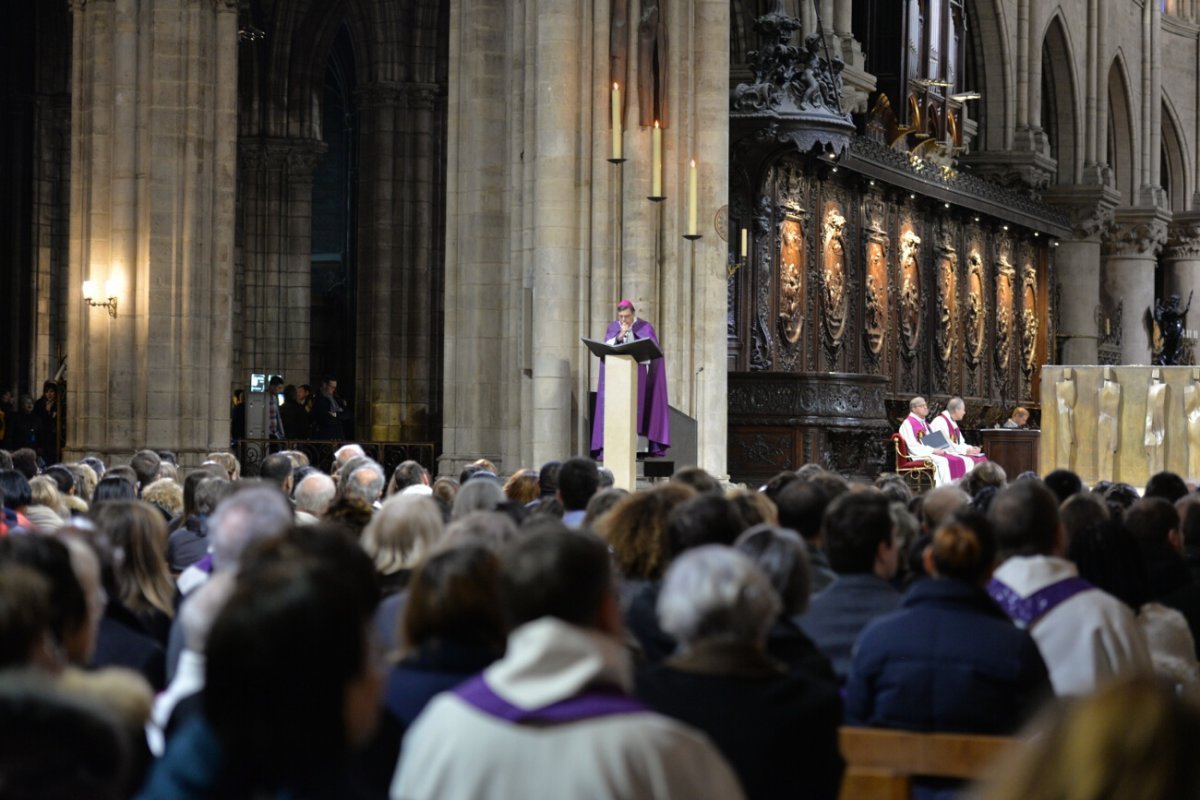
<point x="637" y="527"/>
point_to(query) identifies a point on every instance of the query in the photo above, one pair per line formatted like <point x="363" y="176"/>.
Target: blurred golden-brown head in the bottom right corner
<point x="1130" y="741"/>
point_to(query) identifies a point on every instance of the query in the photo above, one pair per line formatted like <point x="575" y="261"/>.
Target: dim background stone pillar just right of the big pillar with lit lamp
<point x="277" y="278"/>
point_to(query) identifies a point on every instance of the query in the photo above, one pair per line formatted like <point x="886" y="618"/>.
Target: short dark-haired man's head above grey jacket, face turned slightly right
<point x="859" y="536"/>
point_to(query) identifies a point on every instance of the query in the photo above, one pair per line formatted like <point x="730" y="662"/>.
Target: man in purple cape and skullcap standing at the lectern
<point x="653" y="414"/>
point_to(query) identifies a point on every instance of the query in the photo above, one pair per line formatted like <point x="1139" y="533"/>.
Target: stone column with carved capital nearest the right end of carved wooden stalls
<point x="1078" y="268"/>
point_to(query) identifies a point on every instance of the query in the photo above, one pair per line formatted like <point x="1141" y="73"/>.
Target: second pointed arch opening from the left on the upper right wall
<point x="1060" y="101"/>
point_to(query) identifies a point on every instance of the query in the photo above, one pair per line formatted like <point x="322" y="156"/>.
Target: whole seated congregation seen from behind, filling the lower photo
<point x="334" y="631"/>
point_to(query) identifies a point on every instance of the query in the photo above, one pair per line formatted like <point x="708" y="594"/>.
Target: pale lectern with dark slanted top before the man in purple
<point x="621" y="405"/>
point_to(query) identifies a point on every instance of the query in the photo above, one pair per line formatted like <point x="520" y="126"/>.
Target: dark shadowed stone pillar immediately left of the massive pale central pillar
<point x="399" y="261"/>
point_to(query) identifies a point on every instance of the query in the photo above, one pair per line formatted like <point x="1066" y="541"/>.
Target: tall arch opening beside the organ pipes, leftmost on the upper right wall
<point x="989" y="63"/>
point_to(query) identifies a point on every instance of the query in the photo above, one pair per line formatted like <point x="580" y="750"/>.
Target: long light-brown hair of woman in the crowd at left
<point x="131" y="538"/>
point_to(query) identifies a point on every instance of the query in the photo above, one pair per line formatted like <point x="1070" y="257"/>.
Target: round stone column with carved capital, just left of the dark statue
<point x="1131" y="255"/>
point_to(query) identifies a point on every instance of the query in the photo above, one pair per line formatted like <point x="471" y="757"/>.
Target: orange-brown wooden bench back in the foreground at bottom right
<point x="881" y="765"/>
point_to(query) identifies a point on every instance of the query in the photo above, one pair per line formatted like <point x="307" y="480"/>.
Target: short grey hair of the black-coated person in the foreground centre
<point x="716" y="594"/>
